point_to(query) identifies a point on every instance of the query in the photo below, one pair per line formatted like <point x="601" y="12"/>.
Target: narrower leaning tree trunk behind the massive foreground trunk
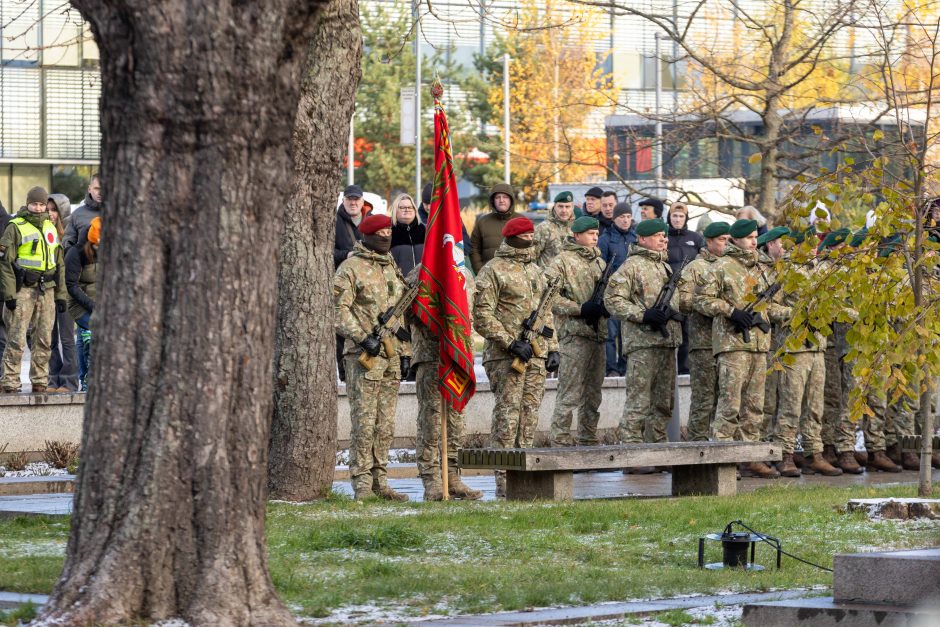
<point x="303" y="432"/>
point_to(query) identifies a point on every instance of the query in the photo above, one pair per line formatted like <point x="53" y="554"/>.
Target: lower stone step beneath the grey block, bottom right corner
<point x="826" y="612"/>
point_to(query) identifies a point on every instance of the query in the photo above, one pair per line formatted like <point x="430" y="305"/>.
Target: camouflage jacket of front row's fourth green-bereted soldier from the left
<point x="733" y="283"/>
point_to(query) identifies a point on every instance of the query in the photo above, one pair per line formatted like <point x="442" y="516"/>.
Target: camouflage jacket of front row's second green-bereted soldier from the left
<point x="633" y="289"/>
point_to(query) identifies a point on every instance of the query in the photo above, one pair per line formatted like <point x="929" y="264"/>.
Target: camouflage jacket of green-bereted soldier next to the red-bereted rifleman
<point x="580" y="268"/>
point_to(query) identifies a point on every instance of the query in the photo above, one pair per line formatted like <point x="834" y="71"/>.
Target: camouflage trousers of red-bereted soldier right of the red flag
<point x="518" y="398"/>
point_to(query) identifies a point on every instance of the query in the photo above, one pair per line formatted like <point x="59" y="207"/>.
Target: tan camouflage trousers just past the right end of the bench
<point x="802" y="380"/>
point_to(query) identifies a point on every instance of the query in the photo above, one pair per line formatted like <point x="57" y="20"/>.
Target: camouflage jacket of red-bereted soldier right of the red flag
<point x="508" y="290"/>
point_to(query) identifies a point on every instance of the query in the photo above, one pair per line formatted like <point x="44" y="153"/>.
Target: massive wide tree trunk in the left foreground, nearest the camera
<point x="197" y="109"/>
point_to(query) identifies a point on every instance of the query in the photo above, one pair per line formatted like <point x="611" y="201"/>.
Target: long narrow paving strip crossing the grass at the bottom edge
<point x="609" y="611"/>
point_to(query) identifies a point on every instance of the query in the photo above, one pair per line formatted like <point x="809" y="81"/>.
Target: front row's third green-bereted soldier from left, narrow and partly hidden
<point x="704" y="375"/>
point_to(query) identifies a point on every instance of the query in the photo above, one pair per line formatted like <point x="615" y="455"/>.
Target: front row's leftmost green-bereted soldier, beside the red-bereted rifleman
<point x="582" y="332"/>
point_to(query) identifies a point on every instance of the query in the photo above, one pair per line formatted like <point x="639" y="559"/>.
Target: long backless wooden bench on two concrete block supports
<point x="547" y="473"/>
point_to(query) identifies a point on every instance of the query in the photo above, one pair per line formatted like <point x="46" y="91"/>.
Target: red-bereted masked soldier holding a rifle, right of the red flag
<point x="508" y="289"/>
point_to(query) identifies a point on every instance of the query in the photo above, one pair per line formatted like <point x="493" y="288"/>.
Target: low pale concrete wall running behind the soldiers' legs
<point x="27" y="421"/>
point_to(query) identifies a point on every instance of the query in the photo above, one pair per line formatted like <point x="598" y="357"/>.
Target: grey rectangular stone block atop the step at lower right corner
<point x="892" y="578"/>
